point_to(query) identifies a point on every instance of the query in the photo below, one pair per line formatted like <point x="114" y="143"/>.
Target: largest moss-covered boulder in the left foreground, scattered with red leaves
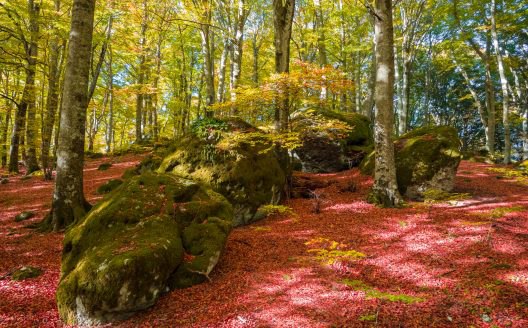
<point x="153" y="233"/>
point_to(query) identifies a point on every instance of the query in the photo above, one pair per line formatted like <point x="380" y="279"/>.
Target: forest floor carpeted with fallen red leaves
<point x="460" y="263"/>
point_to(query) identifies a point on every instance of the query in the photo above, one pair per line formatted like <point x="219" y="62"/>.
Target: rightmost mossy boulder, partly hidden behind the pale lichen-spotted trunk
<point x="426" y="158"/>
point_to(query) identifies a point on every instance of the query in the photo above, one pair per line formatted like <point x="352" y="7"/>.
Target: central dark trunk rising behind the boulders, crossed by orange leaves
<point x="284" y="10"/>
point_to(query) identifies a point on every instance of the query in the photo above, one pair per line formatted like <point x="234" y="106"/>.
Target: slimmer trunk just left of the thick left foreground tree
<point x="52" y="102"/>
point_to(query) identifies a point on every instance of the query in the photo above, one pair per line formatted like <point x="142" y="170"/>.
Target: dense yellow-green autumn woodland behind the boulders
<point x="159" y="65"/>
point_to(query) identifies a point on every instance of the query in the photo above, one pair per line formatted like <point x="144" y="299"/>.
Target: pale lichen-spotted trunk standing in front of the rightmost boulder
<point x="385" y="190"/>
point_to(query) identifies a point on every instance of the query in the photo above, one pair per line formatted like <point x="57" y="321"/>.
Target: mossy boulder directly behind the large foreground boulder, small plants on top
<point x="236" y="160"/>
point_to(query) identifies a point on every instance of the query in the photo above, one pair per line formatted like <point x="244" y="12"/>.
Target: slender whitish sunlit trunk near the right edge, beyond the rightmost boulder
<point x="504" y="86"/>
